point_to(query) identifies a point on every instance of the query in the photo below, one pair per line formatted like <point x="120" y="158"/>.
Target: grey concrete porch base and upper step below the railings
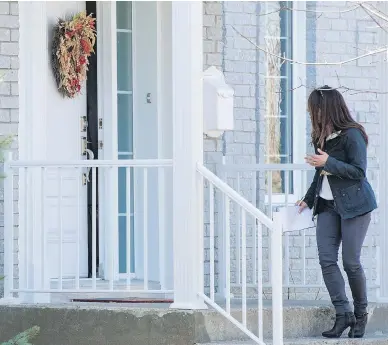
<point x="140" y="324"/>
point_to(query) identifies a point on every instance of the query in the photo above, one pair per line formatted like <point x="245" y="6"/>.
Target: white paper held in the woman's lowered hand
<point x="292" y="220"/>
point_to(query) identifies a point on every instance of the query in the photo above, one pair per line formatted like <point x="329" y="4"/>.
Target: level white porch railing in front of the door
<point x="51" y="235"/>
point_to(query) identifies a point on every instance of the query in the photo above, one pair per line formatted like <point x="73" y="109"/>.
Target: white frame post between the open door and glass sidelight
<point x="107" y="111"/>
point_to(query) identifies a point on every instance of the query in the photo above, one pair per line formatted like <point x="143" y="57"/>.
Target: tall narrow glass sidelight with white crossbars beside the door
<point x="125" y="131"/>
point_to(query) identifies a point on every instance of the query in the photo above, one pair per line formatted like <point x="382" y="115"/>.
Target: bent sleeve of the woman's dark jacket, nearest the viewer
<point x="356" y="153"/>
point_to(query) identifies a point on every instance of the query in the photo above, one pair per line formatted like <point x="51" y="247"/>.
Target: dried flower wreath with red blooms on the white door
<point x="73" y="43"/>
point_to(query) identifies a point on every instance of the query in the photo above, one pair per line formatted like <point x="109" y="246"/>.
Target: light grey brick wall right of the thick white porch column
<point x="331" y="36"/>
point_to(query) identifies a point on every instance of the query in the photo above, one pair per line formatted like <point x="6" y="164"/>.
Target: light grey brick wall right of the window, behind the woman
<point x="341" y="36"/>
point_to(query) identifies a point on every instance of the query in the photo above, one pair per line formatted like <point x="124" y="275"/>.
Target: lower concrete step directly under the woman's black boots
<point x="368" y="340"/>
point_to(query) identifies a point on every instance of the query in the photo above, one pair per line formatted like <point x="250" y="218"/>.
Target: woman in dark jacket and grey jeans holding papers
<point x="343" y="200"/>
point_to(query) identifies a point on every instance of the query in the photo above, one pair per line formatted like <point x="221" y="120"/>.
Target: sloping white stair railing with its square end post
<point x="250" y="218"/>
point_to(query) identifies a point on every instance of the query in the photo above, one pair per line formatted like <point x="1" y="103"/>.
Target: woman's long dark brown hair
<point x="329" y="113"/>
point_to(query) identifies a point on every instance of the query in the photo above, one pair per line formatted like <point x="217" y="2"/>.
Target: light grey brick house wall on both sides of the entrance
<point x="331" y="36"/>
